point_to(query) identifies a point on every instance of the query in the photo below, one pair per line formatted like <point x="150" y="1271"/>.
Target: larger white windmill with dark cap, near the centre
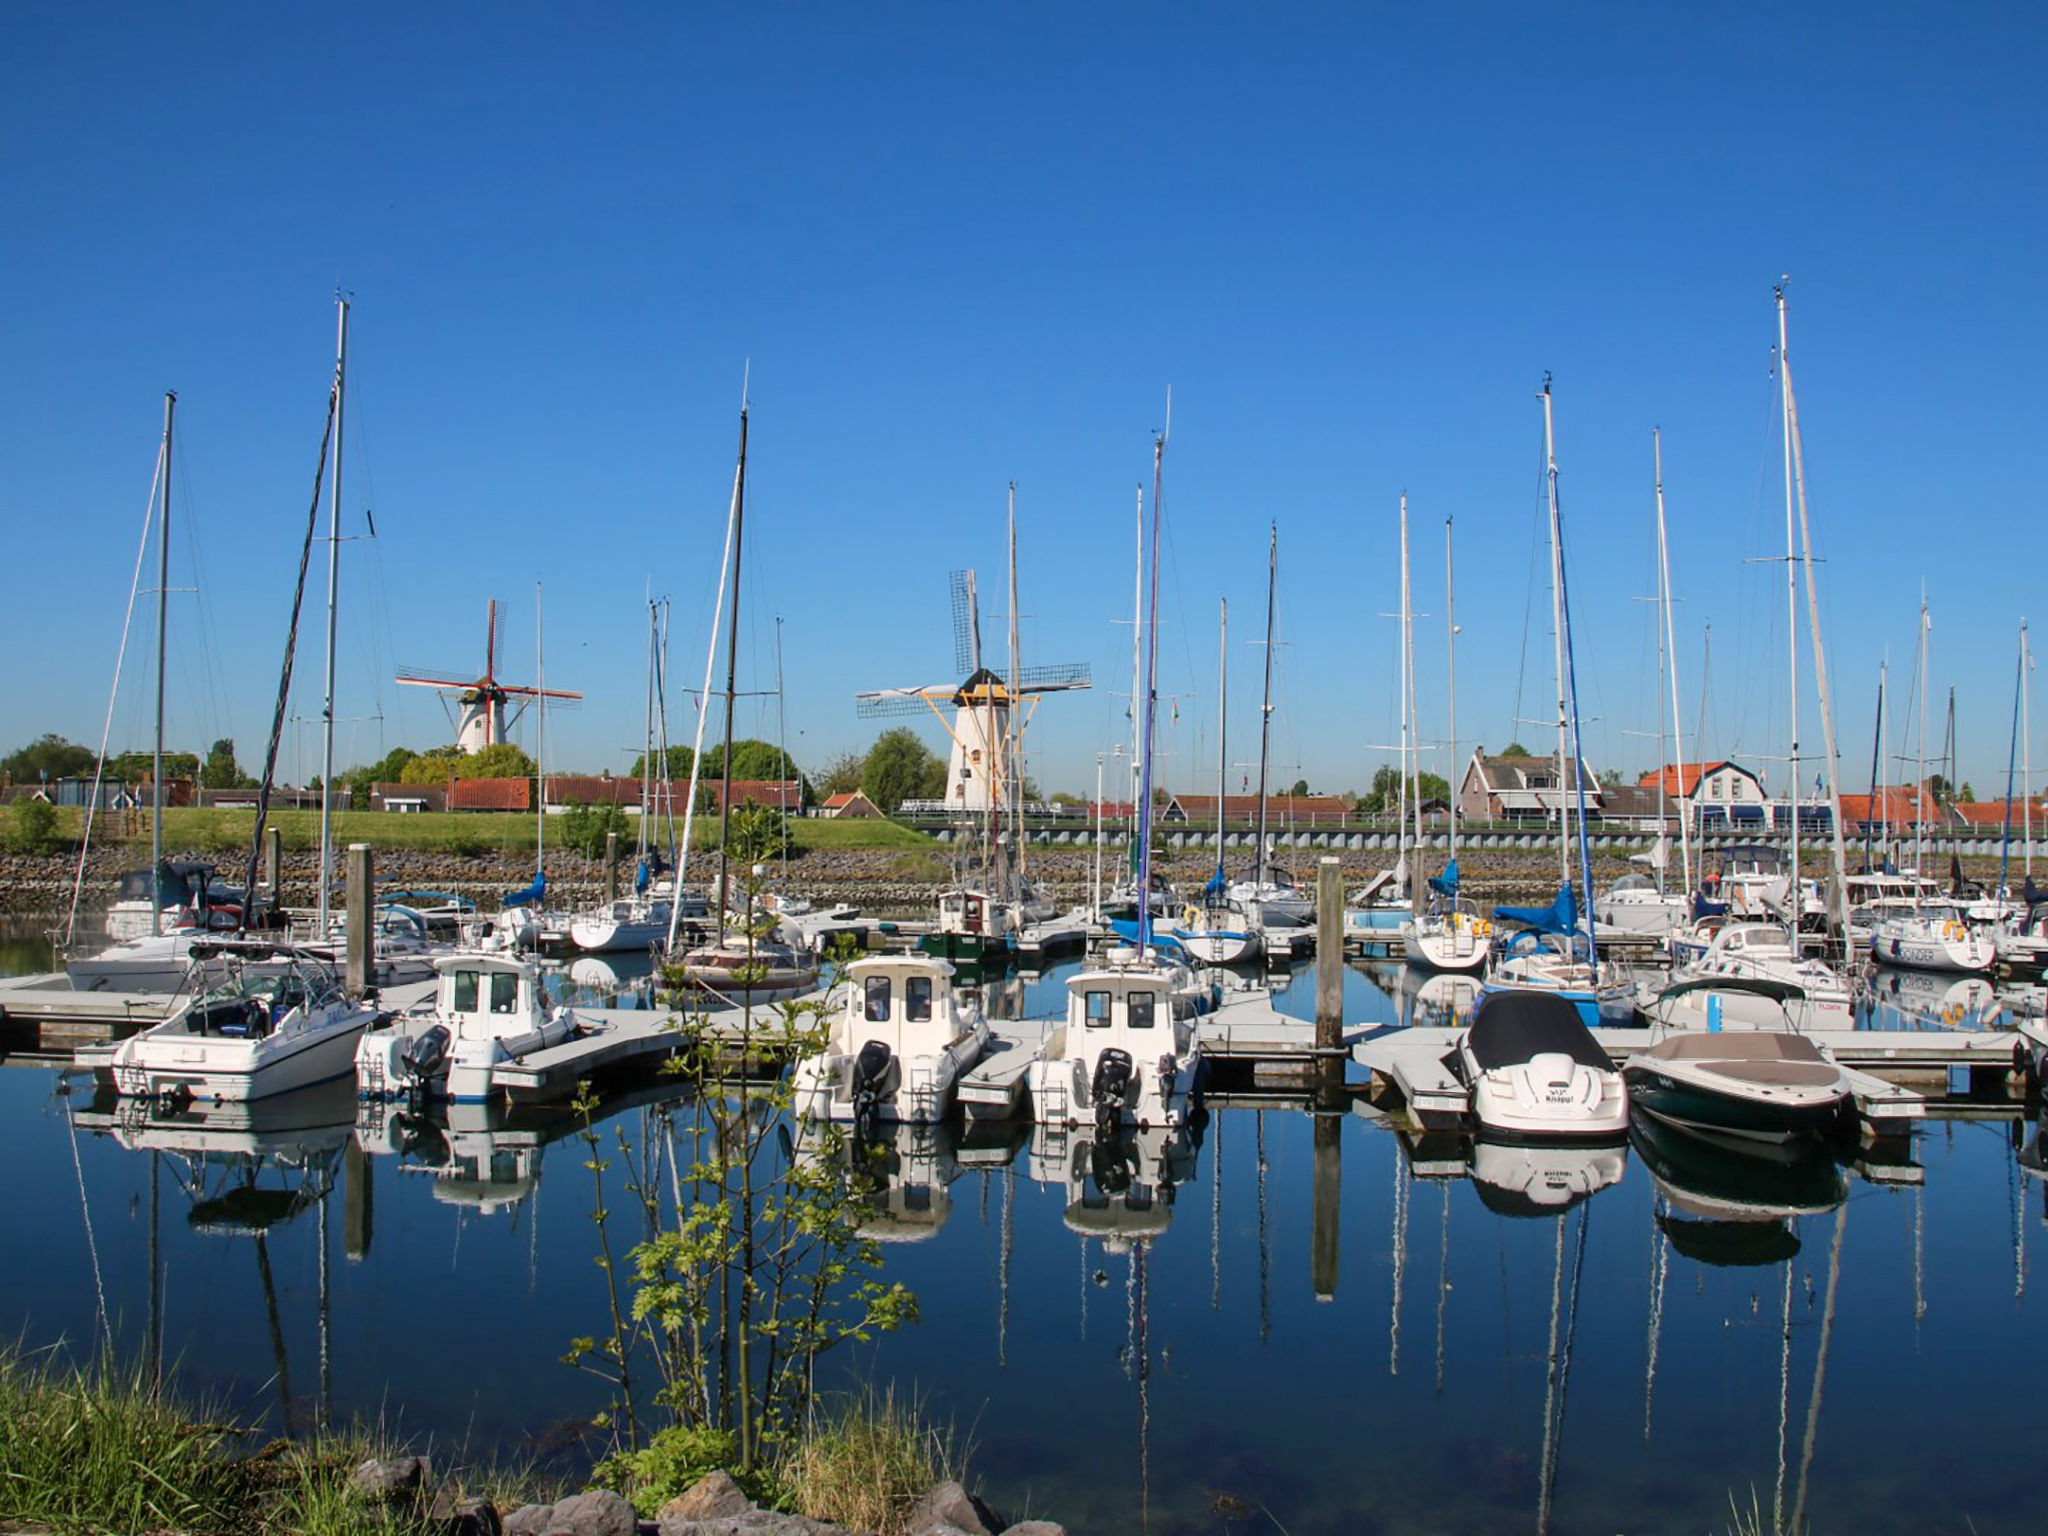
<point x="984" y="746"/>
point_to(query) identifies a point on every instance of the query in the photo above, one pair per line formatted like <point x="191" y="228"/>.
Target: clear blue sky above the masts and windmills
<point x="966" y="247"/>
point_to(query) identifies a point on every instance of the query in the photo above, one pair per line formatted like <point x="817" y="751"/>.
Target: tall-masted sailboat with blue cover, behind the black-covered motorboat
<point x="1558" y="953"/>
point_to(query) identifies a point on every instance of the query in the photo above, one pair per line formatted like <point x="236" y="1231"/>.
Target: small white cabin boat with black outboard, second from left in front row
<point x="488" y="1011"/>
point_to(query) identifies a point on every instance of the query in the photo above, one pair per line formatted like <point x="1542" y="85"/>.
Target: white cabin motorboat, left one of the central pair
<point x="900" y="1041"/>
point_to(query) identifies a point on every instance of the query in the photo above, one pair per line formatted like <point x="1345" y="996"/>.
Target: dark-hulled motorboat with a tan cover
<point x="1750" y="1084"/>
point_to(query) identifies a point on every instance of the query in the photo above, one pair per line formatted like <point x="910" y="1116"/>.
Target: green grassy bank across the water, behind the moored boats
<point x="435" y="833"/>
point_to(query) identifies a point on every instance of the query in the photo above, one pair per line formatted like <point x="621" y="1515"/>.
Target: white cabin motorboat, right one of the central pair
<point x="1127" y="1050"/>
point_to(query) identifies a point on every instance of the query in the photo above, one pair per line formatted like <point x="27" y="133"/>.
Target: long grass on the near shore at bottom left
<point x="105" y="1451"/>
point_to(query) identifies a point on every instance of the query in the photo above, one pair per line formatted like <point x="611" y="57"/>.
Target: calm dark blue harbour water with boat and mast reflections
<point x="1154" y="1336"/>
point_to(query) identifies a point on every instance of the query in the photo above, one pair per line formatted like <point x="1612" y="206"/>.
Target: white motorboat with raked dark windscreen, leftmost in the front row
<point x="278" y="1023"/>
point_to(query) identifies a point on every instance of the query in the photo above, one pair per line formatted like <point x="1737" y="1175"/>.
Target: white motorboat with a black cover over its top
<point x="1535" y="1070"/>
